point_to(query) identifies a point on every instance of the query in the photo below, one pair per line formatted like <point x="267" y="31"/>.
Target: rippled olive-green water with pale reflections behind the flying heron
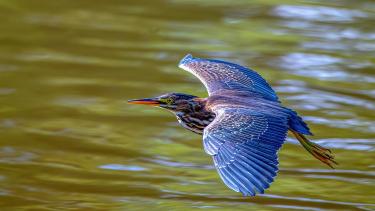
<point x="68" y="140"/>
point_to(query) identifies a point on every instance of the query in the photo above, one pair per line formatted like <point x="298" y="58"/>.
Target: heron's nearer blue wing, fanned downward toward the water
<point x="244" y="145"/>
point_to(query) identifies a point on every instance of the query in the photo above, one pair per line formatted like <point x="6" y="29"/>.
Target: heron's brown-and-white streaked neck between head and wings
<point x="197" y="117"/>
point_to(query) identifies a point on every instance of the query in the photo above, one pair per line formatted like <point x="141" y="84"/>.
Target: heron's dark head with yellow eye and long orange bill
<point x="174" y="102"/>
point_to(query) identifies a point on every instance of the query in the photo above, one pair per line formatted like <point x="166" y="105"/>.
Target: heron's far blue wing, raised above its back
<point x="220" y="75"/>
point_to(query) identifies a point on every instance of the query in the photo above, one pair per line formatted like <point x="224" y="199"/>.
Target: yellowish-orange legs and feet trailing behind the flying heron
<point x="323" y="154"/>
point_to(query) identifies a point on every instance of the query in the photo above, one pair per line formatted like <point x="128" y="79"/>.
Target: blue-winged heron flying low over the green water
<point x="242" y="121"/>
